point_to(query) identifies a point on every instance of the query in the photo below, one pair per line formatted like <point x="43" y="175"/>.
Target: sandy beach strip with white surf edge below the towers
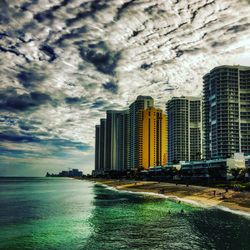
<point x="231" y="201"/>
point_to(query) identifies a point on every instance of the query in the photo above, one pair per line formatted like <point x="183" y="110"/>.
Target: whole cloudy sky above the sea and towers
<point x="65" y="62"/>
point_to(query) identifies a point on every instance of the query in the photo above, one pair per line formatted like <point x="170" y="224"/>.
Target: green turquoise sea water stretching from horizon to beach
<point x="57" y="213"/>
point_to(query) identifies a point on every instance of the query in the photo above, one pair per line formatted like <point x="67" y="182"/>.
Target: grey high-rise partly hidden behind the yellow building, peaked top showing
<point x="141" y="103"/>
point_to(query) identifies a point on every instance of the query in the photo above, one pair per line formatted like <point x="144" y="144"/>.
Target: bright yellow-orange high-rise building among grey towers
<point x="152" y="138"/>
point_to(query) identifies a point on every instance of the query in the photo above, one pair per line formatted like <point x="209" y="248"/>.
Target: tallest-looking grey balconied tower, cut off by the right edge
<point x="226" y="97"/>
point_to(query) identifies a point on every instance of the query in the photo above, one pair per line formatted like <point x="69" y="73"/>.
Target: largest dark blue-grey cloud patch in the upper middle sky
<point x="100" y="56"/>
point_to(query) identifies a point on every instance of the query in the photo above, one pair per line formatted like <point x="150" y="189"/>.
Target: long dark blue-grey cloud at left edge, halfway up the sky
<point x="11" y="100"/>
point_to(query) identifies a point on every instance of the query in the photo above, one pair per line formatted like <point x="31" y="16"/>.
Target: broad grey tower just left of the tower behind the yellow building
<point x="117" y="136"/>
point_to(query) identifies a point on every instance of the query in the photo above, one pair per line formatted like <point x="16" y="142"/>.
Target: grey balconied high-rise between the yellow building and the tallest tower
<point x="184" y="129"/>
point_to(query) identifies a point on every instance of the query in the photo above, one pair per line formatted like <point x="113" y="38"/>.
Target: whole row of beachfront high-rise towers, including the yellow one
<point x="207" y="131"/>
